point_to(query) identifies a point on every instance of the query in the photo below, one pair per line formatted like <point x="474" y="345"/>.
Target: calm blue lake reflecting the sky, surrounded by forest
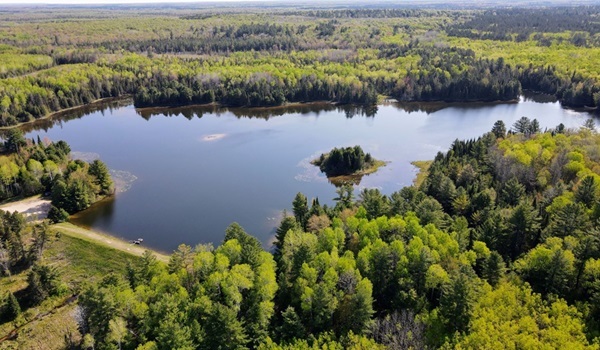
<point x="198" y="169"/>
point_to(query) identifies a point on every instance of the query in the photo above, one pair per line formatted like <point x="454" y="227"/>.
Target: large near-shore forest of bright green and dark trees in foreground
<point x="498" y="248"/>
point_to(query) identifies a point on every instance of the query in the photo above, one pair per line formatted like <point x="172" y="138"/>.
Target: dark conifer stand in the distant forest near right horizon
<point x="519" y="24"/>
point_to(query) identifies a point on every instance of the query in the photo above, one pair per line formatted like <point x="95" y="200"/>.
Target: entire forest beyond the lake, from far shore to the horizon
<point x="257" y="59"/>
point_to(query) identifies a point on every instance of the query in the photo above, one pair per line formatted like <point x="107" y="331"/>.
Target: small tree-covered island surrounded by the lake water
<point x="344" y="165"/>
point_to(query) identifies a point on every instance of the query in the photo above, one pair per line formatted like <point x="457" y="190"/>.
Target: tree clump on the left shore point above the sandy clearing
<point x="32" y="167"/>
